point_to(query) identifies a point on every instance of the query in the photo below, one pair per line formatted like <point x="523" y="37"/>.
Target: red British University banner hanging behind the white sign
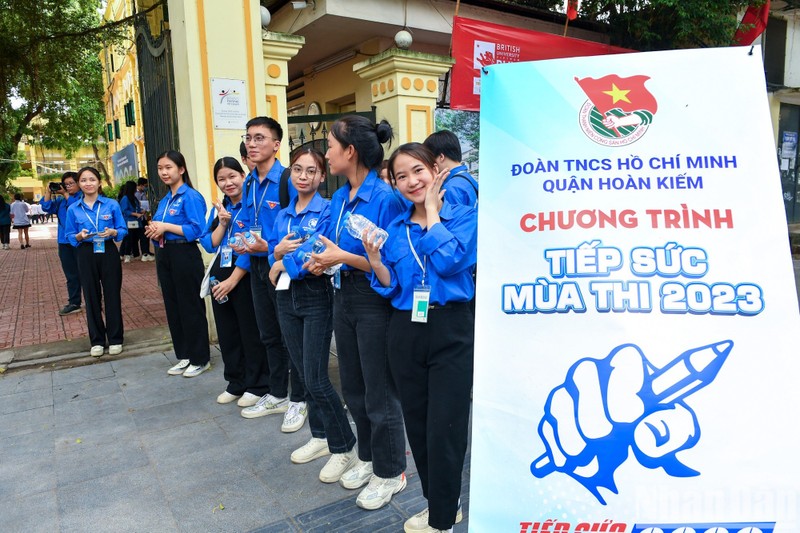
<point x="477" y="44"/>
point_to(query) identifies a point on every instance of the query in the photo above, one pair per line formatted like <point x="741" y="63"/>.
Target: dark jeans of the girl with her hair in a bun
<point x="361" y="321"/>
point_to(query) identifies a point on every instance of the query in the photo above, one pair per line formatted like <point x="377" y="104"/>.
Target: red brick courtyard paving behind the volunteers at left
<point x="33" y="289"/>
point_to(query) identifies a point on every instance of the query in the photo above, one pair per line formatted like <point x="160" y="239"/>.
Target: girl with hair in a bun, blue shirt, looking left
<point x="360" y="316"/>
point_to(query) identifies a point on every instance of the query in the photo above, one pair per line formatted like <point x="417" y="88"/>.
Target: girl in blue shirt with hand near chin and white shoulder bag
<point x="239" y="341"/>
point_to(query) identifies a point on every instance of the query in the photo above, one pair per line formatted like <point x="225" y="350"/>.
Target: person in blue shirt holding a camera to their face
<point x="66" y="253"/>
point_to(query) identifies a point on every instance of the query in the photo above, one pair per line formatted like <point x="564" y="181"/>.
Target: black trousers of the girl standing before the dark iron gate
<point x="180" y="272"/>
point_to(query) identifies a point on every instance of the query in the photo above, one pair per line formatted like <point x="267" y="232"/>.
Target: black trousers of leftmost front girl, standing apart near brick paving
<point x="101" y="280"/>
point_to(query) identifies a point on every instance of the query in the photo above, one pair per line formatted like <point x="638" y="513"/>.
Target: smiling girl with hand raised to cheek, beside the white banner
<point x="425" y="269"/>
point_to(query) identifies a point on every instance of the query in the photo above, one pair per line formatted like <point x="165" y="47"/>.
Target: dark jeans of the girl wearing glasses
<point x="305" y="312"/>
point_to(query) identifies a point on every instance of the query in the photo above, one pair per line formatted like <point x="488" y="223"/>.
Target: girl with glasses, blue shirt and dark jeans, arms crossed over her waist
<point x="306" y="317"/>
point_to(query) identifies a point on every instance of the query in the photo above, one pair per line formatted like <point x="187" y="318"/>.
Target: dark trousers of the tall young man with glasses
<point x="275" y="377"/>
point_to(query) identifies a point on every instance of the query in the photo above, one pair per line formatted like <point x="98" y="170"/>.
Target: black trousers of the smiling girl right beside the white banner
<point x="432" y="365"/>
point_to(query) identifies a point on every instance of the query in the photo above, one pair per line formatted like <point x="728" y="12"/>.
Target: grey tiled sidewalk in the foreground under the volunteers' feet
<point x="121" y="446"/>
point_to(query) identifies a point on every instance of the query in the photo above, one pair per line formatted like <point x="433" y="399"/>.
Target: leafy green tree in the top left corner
<point x="50" y="73"/>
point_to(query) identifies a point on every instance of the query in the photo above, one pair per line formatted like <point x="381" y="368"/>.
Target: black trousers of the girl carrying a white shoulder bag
<point x="237" y="330"/>
